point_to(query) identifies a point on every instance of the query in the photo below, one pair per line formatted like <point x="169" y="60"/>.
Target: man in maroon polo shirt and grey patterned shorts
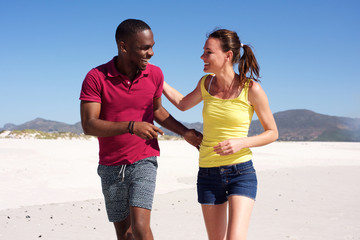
<point x="119" y="101"/>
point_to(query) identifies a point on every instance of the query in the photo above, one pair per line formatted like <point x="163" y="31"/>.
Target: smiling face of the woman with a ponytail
<point x="214" y="58"/>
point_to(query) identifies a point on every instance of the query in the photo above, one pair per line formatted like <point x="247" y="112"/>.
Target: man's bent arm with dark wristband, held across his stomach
<point x="92" y="125"/>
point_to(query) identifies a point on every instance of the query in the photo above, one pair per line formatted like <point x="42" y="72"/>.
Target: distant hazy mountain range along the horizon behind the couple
<point x="293" y="125"/>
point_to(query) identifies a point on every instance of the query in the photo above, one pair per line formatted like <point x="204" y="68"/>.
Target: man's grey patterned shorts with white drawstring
<point x="126" y="186"/>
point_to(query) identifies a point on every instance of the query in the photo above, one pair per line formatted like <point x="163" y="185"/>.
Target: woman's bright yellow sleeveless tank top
<point x="224" y="119"/>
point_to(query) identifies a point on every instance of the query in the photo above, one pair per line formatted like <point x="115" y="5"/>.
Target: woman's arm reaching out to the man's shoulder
<point x="181" y="102"/>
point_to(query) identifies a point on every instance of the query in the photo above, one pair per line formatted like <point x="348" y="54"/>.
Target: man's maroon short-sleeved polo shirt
<point x="122" y="101"/>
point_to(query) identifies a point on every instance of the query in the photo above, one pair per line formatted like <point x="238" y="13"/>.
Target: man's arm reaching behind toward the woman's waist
<point x="162" y="117"/>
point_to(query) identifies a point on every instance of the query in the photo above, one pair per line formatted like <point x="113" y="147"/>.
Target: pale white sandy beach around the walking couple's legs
<point x="49" y="189"/>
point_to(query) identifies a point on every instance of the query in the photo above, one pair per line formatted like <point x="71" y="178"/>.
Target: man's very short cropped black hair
<point x="128" y="28"/>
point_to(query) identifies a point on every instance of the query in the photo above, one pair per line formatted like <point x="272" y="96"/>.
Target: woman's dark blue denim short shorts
<point x="216" y="184"/>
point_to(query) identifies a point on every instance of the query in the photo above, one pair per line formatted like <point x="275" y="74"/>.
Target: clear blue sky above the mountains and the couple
<point x="308" y="51"/>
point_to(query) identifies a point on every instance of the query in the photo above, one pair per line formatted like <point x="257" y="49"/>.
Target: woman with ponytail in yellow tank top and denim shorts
<point x="226" y="177"/>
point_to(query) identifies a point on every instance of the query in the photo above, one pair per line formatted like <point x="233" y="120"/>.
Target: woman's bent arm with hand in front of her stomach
<point x="259" y="101"/>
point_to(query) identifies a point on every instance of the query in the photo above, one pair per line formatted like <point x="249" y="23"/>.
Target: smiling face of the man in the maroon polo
<point x="140" y="49"/>
